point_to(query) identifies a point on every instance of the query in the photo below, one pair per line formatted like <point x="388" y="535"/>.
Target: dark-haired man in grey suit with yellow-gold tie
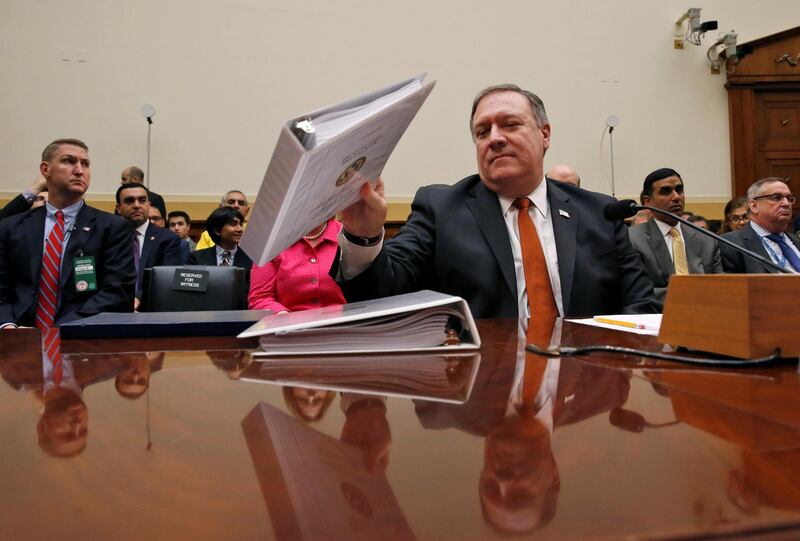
<point x="666" y="247"/>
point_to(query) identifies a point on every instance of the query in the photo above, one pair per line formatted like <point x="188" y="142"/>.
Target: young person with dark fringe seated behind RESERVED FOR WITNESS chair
<point x="225" y="227"/>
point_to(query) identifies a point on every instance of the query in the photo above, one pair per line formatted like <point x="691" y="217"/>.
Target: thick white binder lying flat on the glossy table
<point x="420" y="321"/>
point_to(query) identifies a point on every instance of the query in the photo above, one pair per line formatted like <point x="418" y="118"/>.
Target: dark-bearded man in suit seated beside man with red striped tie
<point x="152" y="246"/>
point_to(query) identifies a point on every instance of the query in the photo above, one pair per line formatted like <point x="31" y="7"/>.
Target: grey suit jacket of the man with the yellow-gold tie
<point x="702" y="254"/>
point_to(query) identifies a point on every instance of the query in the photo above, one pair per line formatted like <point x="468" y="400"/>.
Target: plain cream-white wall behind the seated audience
<point x="225" y="74"/>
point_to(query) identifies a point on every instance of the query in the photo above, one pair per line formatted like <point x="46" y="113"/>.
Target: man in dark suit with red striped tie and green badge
<point x="97" y="243"/>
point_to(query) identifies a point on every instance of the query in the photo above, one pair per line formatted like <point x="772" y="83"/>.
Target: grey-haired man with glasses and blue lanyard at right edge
<point x="770" y="202"/>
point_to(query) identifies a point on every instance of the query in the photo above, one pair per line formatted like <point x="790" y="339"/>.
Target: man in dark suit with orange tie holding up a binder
<point x="463" y="239"/>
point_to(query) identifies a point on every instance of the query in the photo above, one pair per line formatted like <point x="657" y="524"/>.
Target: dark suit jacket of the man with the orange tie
<point x="456" y="242"/>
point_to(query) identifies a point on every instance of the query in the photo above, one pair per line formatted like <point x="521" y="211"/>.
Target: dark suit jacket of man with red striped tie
<point x="100" y="234"/>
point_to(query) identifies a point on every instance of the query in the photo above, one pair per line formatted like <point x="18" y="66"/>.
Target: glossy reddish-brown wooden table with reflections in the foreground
<point x="173" y="446"/>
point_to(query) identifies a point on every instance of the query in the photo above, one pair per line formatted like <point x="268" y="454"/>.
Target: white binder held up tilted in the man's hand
<point x="315" y="168"/>
